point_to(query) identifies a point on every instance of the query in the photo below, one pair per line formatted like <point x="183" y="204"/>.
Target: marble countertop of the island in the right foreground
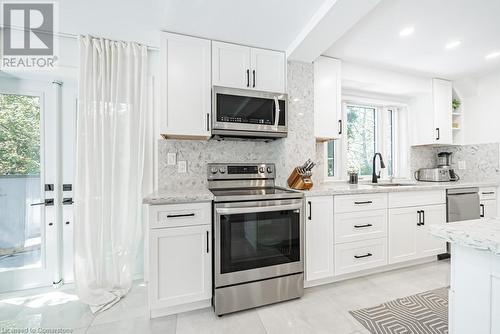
<point x="479" y="233"/>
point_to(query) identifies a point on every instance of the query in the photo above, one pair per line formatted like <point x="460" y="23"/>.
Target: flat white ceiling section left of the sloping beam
<point x="270" y="24"/>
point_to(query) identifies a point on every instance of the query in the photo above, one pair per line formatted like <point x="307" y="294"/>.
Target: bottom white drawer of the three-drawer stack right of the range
<point x="360" y="255"/>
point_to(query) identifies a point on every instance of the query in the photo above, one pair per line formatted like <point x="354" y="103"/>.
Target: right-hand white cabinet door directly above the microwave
<point x="268" y="70"/>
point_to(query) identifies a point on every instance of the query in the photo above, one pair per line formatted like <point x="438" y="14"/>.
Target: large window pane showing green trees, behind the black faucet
<point x="361" y="135"/>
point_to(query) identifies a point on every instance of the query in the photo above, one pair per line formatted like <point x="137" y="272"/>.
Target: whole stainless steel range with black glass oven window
<point x="259" y="237"/>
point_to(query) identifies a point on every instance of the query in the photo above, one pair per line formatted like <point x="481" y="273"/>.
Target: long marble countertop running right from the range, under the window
<point x="339" y="188"/>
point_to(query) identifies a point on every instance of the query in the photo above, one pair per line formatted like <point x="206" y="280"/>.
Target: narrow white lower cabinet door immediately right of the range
<point x="319" y="238"/>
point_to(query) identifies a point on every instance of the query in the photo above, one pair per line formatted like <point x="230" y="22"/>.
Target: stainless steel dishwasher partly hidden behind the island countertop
<point x="461" y="204"/>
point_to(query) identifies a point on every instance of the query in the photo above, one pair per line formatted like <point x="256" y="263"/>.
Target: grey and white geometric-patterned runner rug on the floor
<point x="423" y="313"/>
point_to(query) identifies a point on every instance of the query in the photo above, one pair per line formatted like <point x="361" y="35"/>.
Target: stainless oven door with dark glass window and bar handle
<point x="258" y="240"/>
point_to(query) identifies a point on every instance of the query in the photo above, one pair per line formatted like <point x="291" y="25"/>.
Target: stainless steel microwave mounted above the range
<point x="244" y="113"/>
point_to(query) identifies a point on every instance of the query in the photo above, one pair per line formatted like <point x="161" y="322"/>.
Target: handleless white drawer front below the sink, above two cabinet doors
<point x="416" y="198"/>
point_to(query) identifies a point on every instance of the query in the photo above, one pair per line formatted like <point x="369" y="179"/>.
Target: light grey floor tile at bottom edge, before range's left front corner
<point x="205" y="321"/>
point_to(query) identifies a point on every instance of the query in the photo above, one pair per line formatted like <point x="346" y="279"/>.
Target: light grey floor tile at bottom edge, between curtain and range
<point x="164" y="325"/>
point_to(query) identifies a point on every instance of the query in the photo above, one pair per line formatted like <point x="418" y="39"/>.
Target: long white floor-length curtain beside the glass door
<point x="110" y="158"/>
